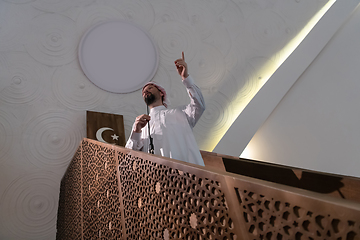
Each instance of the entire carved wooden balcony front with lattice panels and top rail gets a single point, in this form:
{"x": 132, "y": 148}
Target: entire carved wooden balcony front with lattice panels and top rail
{"x": 110, "y": 192}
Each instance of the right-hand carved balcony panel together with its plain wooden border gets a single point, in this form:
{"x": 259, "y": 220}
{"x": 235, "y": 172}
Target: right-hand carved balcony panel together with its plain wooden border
{"x": 273, "y": 214}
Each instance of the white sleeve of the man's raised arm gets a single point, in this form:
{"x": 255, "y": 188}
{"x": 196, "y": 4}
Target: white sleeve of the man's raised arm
{"x": 196, "y": 107}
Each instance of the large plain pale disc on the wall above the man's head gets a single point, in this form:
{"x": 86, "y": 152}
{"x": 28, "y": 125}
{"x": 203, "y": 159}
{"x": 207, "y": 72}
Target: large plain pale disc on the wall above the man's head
{"x": 118, "y": 56}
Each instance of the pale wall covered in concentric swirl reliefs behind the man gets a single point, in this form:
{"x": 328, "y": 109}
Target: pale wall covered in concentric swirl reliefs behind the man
{"x": 44, "y": 94}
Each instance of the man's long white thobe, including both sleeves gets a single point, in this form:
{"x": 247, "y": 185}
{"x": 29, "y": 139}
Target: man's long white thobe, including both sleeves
{"x": 171, "y": 129}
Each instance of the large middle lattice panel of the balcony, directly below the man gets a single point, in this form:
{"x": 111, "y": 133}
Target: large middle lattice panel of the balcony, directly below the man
{"x": 160, "y": 201}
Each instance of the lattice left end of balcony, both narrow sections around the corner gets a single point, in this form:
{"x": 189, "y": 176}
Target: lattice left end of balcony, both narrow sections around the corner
{"x": 89, "y": 205}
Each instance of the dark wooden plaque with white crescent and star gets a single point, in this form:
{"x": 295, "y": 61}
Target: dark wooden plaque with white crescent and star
{"x": 105, "y": 127}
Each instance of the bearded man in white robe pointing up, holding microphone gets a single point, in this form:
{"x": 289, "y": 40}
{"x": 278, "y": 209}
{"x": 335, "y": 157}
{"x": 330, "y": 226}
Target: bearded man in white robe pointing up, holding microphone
{"x": 170, "y": 129}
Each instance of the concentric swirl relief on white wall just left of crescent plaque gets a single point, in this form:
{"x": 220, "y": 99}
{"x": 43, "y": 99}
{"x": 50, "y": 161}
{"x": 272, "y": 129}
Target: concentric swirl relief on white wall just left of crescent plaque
{"x": 49, "y": 137}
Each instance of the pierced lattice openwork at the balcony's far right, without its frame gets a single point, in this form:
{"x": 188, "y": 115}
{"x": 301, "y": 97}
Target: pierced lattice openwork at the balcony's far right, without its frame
{"x": 275, "y": 218}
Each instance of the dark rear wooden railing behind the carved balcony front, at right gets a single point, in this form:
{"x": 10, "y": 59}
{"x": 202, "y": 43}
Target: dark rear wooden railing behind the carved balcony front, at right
{"x": 335, "y": 185}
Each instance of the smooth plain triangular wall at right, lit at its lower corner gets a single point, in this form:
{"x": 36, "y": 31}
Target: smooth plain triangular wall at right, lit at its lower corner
{"x": 315, "y": 126}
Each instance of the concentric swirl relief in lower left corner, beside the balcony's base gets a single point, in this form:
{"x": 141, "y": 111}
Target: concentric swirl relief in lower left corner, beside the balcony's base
{"x": 30, "y": 204}
